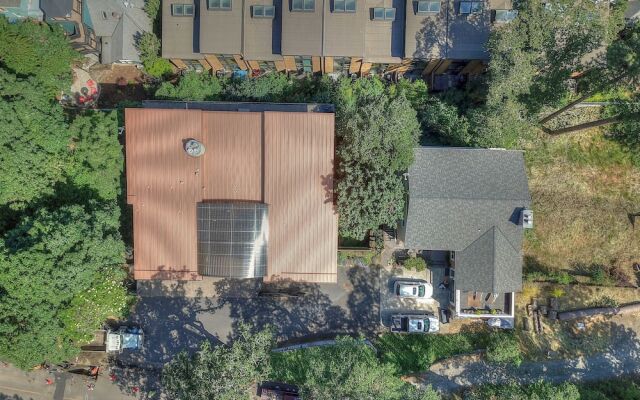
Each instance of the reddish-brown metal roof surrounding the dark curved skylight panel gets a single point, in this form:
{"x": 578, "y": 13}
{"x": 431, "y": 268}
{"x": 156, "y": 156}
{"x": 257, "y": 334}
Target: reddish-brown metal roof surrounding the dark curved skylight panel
{"x": 283, "y": 159}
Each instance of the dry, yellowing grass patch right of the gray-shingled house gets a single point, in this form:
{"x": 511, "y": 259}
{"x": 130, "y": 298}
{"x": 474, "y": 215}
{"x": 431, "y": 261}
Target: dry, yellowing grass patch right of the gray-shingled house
{"x": 583, "y": 188}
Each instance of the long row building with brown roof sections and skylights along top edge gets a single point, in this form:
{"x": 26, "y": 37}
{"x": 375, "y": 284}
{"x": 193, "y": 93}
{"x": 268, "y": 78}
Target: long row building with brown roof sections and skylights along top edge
{"x": 331, "y": 36}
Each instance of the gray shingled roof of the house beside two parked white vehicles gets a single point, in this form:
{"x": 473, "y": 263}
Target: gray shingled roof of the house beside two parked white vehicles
{"x": 469, "y": 201}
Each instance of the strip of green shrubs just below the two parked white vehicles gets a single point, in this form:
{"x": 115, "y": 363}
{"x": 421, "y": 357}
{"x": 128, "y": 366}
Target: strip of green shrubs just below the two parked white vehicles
{"x": 416, "y": 353}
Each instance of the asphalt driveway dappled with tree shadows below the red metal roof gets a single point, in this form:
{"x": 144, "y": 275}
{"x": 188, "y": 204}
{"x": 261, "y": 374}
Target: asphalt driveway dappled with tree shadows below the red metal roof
{"x": 179, "y": 316}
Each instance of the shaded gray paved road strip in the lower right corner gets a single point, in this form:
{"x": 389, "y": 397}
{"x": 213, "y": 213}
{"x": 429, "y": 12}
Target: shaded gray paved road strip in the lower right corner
{"x": 621, "y": 359}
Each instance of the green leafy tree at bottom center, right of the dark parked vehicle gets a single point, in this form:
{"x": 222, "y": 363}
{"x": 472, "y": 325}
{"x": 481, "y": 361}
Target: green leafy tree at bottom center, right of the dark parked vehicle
{"x": 348, "y": 370}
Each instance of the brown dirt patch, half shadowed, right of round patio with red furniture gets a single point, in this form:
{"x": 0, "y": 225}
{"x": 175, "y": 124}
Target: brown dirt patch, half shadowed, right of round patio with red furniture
{"x": 119, "y": 83}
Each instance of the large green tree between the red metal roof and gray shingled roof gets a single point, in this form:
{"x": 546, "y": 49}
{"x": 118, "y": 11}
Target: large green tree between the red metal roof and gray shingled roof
{"x": 377, "y": 131}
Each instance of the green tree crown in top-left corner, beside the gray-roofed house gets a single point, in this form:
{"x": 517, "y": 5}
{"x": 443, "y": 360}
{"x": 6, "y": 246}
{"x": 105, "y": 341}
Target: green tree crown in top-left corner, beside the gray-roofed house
{"x": 28, "y": 48}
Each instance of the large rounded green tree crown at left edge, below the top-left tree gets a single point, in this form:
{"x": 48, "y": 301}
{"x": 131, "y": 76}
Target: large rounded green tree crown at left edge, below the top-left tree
{"x": 35, "y": 141}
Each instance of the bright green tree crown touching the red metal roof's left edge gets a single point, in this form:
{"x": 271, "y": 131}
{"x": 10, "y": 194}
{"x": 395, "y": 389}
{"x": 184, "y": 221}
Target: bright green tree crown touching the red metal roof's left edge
{"x": 96, "y": 154}
